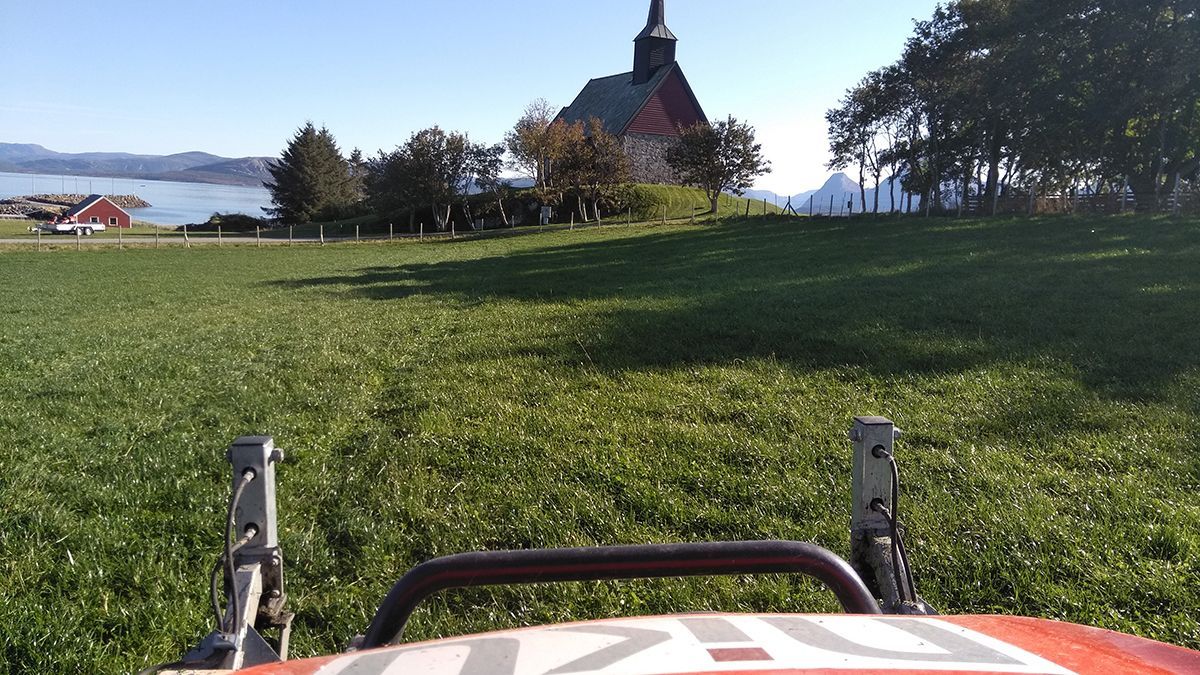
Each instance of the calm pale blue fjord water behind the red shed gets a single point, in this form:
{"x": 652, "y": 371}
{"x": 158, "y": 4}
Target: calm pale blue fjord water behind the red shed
{"x": 172, "y": 204}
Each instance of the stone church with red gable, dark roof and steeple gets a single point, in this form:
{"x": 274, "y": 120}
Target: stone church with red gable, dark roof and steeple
{"x": 647, "y": 107}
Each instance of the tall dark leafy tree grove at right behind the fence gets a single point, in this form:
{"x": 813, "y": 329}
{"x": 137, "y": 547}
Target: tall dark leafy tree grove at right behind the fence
{"x": 997, "y": 98}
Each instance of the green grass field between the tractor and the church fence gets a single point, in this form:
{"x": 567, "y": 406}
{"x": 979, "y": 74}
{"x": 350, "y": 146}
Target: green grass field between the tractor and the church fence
{"x": 601, "y": 387}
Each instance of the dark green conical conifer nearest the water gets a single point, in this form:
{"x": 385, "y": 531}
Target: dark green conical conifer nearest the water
{"x": 311, "y": 180}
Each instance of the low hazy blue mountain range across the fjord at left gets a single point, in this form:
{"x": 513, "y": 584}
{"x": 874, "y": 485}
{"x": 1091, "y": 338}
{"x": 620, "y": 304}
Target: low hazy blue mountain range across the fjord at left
{"x": 189, "y": 168}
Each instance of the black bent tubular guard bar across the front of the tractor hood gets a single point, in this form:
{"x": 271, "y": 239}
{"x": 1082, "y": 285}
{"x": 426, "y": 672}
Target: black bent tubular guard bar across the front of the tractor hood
{"x": 543, "y": 566}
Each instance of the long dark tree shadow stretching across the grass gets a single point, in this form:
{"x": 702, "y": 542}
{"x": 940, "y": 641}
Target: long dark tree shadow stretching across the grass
{"x": 1119, "y": 301}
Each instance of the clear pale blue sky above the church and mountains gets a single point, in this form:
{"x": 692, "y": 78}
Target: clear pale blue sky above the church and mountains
{"x": 237, "y": 77}
